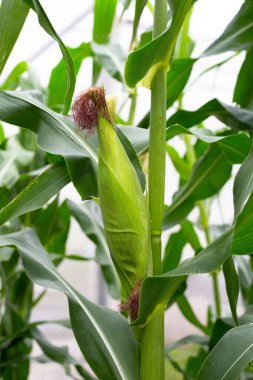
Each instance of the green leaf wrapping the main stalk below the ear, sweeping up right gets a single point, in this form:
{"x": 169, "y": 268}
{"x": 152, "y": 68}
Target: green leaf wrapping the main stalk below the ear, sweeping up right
{"x": 159, "y": 289}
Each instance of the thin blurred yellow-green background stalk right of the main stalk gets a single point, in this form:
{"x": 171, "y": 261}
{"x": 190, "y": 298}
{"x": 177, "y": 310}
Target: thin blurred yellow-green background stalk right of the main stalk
{"x": 190, "y": 153}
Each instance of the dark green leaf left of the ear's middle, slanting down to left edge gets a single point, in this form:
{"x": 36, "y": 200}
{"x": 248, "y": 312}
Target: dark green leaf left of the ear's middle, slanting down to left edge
{"x": 37, "y": 192}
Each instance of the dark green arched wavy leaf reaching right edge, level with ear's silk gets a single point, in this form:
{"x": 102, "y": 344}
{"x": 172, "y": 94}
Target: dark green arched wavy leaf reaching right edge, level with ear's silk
{"x": 234, "y": 117}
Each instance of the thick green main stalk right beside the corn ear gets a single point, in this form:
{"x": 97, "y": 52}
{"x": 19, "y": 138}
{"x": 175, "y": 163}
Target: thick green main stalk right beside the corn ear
{"x": 152, "y": 346}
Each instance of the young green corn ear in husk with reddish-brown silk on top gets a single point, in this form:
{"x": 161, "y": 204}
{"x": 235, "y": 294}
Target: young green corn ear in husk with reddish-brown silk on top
{"x": 123, "y": 205}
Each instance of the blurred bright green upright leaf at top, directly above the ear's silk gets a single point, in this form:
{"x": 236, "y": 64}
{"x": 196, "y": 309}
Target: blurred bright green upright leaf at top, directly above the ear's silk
{"x": 104, "y": 13}
